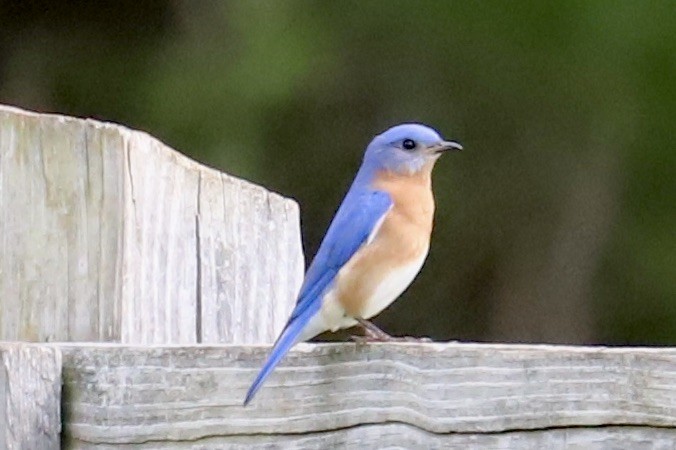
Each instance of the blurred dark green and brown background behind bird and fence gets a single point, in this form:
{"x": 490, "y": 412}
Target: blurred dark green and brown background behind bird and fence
{"x": 557, "y": 224}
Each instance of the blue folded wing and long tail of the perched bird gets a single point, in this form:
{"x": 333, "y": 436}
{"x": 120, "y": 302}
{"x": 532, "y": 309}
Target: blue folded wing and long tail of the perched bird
{"x": 355, "y": 220}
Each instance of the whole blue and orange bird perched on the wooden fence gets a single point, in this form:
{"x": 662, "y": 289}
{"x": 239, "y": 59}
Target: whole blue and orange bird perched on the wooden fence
{"x": 375, "y": 245}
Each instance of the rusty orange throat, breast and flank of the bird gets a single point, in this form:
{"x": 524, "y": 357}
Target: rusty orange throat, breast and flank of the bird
{"x": 401, "y": 241}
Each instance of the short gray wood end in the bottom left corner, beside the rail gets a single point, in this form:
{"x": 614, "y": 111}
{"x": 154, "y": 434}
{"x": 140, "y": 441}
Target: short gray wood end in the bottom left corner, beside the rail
{"x": 30, "y": 396}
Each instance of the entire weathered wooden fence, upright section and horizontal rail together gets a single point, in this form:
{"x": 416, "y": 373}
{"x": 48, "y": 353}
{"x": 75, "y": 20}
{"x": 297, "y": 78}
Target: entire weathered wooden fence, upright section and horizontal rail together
{"x": 163, "y": 281}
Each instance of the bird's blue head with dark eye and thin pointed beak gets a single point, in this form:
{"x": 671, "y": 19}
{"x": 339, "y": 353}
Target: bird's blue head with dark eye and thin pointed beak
{"x": 407, "y": 149}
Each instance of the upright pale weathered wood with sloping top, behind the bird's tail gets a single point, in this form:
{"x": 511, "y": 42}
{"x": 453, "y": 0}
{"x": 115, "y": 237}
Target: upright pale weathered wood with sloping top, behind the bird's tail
{"x": 106, "y": 234}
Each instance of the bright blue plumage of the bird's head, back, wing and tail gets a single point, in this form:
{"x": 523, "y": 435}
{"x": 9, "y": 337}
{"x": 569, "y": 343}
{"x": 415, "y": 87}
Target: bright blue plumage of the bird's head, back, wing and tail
{"x": 403, "y": 149}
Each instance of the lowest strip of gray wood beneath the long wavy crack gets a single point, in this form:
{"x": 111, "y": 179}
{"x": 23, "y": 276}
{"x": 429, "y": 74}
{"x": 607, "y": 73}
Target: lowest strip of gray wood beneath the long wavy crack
{"x": 402, "y": 436}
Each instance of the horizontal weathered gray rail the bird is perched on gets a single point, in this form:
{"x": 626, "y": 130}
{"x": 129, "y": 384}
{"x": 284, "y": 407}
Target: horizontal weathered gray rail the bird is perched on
{"x": 424, "y": 395}
